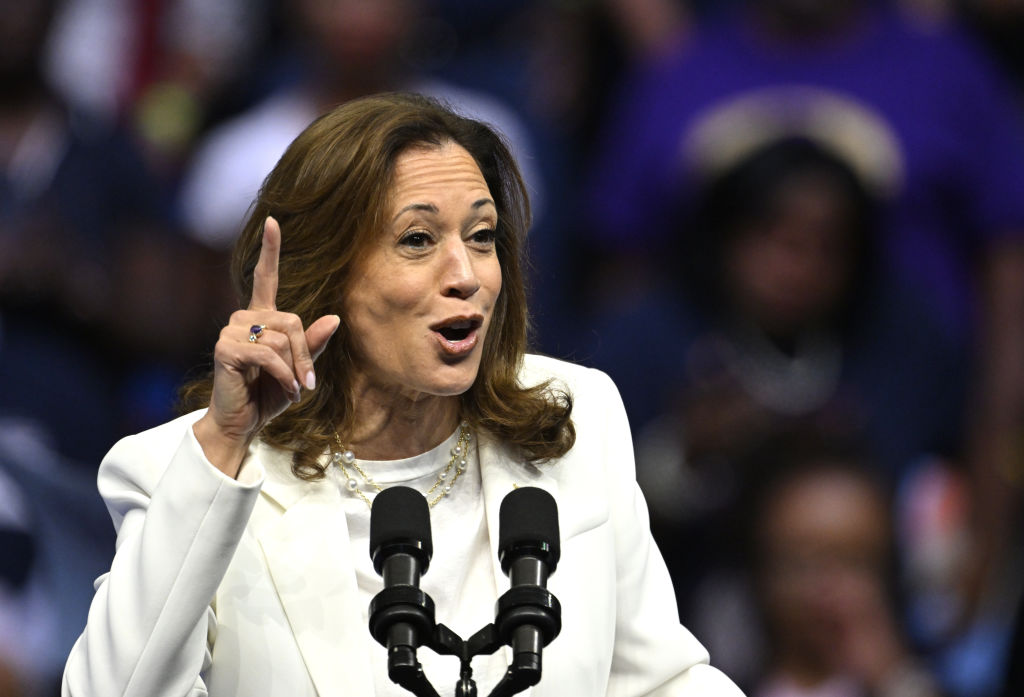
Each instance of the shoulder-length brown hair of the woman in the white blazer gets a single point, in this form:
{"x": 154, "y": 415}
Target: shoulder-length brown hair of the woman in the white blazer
{"x": 330, "y": 194}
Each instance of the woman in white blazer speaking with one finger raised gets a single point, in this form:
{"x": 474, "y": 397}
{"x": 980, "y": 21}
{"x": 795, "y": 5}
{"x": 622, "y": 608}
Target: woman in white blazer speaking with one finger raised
{"x": 242, "y": 568}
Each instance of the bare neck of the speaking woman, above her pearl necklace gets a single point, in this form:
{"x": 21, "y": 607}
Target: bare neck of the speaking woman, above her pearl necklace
{"x": 397, "y": 426}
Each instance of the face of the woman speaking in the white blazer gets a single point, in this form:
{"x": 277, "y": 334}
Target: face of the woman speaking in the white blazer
{"x": 421, "y": 302}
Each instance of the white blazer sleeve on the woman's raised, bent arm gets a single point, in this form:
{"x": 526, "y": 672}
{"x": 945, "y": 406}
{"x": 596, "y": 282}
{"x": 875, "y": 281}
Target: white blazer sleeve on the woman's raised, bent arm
{"x": 179, "y": 521}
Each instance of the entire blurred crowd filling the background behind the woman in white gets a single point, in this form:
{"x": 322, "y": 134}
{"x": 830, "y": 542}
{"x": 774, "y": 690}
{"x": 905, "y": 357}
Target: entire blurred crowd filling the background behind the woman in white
{"x": 791, "y": 231}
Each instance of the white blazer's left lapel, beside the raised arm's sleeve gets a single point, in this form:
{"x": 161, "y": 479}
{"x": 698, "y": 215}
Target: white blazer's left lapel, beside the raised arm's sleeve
{"x": 307, "y": 549}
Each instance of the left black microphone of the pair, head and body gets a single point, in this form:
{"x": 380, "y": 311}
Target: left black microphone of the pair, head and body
{"x": 402, "y": 617}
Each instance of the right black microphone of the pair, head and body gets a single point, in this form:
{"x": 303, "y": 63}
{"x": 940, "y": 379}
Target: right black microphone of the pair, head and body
{"x": 529, "y": 618}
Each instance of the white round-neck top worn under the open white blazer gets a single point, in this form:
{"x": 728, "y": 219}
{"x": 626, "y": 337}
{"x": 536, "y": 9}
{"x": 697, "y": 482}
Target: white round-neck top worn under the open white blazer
{"x": 460, "y": 579}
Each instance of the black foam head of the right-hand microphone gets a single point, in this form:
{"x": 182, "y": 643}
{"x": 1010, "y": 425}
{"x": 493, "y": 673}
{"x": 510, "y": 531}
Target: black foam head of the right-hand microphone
{"x": 529, "y": 525}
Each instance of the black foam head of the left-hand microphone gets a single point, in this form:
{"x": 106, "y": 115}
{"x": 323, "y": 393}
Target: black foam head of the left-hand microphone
{"x": 400, "y": 521}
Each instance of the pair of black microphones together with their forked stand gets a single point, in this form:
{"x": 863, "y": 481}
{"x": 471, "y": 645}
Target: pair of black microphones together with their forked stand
{"x": 528, "y": 617}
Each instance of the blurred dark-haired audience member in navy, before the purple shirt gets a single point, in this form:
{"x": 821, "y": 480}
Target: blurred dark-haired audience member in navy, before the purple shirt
{"x": 778, "y": 324}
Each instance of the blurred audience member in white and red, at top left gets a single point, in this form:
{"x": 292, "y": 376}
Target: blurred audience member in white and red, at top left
{"x": 166, "y": 68}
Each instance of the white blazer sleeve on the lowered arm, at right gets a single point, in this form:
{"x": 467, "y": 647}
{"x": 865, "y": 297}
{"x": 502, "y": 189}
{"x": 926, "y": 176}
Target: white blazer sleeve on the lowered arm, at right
{"x": 654, "y": 655}
